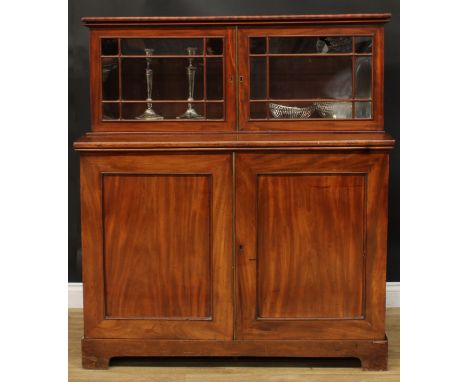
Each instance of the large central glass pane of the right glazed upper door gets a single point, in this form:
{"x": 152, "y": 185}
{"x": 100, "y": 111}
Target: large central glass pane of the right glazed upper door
{"x": 299, "y": 77}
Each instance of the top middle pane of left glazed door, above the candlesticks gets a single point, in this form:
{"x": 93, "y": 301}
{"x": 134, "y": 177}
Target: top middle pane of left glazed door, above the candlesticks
{"x": 161, "y": 46}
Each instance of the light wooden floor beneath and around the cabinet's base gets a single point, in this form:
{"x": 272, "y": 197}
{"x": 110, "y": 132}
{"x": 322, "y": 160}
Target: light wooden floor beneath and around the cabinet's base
{"x": 229, "y": 369}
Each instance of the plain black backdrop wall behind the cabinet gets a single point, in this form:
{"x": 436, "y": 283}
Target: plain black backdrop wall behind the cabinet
{"x": 78, "y": 89}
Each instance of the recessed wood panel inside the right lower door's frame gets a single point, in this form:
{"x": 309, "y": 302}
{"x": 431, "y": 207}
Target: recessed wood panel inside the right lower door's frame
{"x": 310, "y": 246}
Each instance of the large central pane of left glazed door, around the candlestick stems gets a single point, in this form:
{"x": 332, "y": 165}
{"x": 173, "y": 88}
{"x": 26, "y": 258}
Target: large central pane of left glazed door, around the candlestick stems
{"x": 169, "y": 78}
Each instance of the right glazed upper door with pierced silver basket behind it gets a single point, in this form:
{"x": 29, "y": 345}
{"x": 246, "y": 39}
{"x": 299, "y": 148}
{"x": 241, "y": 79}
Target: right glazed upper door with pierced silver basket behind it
{"x": 310, "y": 78}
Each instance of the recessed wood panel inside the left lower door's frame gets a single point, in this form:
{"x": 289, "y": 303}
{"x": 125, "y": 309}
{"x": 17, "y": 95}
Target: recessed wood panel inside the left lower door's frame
{"x": 157, "y": 245}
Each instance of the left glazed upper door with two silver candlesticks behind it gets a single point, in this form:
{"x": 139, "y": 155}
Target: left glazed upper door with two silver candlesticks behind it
{"x": 165, "y": 79}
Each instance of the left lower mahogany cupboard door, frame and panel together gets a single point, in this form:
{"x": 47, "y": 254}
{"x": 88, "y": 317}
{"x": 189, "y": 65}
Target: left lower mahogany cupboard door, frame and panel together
{"x": 157, "y": 245}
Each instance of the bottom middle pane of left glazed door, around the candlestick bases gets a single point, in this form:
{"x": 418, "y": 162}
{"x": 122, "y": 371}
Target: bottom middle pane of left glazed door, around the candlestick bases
{"x": 168, "y": 110}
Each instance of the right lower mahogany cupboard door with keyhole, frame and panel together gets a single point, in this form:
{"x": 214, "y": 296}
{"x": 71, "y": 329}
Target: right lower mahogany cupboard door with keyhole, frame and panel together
{"x": 311, "y": 245}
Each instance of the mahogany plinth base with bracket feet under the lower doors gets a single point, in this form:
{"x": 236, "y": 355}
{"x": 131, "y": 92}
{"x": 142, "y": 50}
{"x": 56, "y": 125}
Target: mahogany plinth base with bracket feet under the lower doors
{"x": 96, "y": 353}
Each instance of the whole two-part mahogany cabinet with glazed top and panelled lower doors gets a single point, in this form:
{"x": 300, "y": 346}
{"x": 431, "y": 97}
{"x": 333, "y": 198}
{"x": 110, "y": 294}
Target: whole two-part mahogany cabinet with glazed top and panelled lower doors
{"x": 234, "y": 188}
